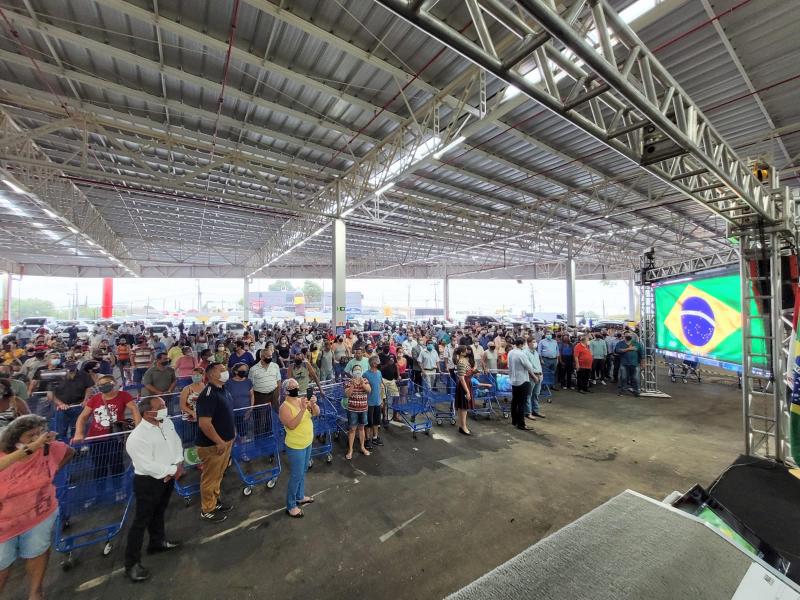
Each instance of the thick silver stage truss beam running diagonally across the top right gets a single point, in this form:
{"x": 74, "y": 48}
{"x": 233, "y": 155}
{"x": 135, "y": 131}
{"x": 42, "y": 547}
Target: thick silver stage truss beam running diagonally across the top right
{"x": 594, "y": 72}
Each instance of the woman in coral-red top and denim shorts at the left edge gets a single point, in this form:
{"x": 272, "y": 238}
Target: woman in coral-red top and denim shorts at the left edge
{"x": 29, "y": 460}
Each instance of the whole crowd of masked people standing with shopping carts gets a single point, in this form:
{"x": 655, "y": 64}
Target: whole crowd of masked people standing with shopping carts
{"x": 212, "y": 374}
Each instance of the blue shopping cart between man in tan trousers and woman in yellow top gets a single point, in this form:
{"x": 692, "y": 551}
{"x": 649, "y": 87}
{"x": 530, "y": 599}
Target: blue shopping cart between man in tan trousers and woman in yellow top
{"x": 256, "y": 451}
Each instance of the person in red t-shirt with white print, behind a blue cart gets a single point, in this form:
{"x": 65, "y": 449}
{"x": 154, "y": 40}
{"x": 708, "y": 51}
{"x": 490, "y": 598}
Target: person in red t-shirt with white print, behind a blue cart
{"x": 107, "y": 412}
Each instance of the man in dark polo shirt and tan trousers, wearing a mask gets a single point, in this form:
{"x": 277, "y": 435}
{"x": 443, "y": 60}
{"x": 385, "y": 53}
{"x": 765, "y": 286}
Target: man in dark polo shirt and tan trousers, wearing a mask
{"x": 214, "y": 441}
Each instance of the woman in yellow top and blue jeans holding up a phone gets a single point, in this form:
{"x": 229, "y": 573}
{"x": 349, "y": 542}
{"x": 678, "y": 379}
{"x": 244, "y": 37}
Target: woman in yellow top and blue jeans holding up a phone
{"x": 295, "y": 414}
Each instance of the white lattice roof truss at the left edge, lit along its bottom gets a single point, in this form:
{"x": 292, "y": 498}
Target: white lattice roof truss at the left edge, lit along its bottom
{"x": 47, "y": 188}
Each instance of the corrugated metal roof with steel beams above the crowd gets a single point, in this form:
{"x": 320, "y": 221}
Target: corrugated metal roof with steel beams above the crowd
{"x": 219, "y": 138}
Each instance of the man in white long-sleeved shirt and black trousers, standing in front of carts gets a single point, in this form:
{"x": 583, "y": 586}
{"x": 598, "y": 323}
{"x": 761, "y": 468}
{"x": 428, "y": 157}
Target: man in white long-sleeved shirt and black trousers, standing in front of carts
{"x": 156, "y": 452}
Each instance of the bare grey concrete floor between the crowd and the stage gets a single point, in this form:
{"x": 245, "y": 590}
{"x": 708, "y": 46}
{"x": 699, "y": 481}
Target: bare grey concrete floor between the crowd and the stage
{"x": 422, "y": 518}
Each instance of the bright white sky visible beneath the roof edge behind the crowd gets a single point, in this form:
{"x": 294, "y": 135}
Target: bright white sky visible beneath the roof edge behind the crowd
{"x": 473, "y": 295}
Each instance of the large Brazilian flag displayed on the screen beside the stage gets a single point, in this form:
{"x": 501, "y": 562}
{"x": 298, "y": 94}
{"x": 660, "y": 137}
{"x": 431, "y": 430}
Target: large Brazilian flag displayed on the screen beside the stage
{"x": 703, "y": 317}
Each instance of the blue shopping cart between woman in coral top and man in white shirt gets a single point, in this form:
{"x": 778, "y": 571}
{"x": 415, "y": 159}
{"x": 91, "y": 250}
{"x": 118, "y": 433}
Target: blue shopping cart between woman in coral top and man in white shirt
{"x": 94, "y": 492}
